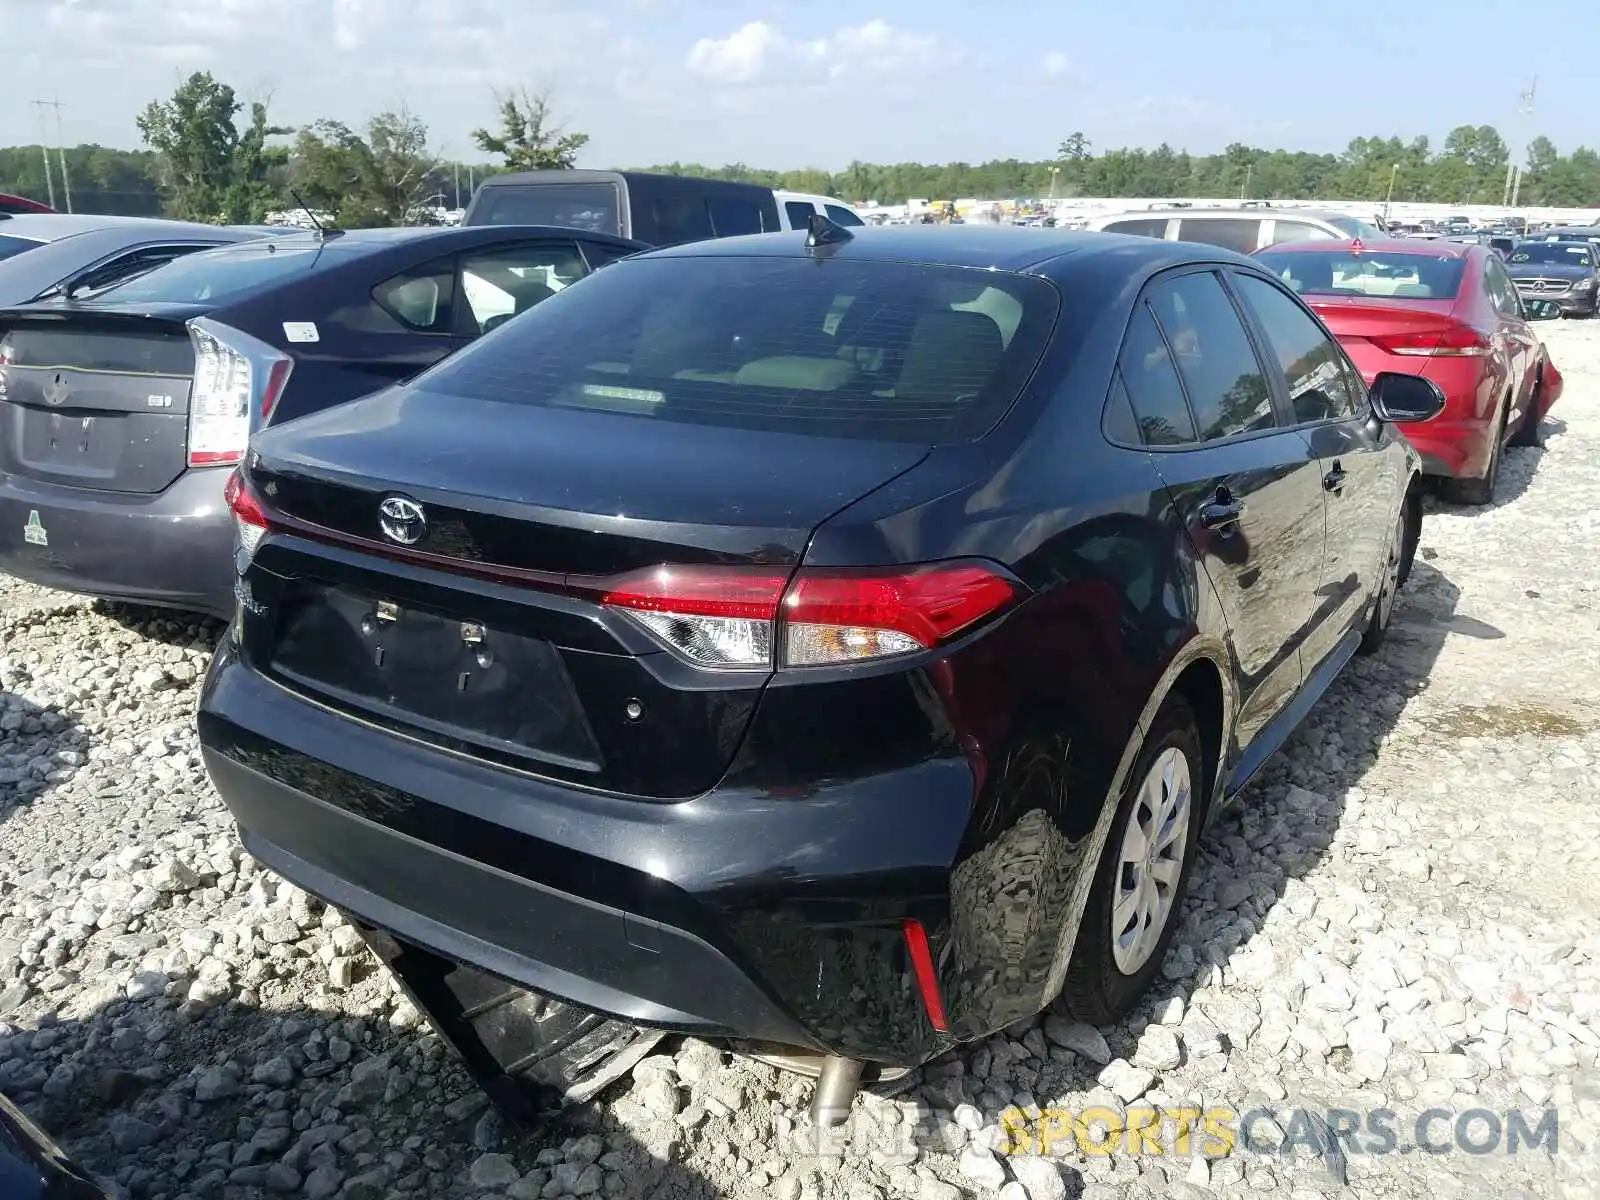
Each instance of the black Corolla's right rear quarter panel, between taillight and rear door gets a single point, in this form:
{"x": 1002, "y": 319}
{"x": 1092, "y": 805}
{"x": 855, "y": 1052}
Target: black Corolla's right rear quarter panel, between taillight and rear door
{"x": 1049, "y": 710}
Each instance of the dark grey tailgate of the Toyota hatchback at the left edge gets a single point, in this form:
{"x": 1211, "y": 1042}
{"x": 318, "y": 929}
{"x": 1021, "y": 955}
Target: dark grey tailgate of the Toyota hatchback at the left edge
{"x": 95, "y": 399}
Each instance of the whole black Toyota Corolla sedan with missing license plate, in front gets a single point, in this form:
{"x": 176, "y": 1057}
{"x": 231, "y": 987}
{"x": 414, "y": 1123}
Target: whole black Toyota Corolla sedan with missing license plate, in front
{"x": 820, "y": 641}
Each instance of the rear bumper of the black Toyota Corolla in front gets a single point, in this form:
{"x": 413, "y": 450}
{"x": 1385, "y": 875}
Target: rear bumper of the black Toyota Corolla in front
{"x": 729, "y": 916}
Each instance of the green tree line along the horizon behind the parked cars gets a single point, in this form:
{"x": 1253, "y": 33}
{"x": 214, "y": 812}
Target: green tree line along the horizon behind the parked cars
{"x": 212, "y": 158}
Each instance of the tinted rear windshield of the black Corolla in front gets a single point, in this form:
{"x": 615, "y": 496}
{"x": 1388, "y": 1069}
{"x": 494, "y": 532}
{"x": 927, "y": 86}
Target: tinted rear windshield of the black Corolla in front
{"x": 879, "y": 351}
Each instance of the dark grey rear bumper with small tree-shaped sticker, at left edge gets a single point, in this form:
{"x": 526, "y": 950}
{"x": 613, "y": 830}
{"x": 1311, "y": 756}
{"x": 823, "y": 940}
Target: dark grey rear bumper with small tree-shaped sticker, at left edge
{"x": 167, "y": 550}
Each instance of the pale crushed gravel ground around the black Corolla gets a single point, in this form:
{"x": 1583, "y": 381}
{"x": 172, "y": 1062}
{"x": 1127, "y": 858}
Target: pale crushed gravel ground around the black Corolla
{"x": 1401, "y": 916}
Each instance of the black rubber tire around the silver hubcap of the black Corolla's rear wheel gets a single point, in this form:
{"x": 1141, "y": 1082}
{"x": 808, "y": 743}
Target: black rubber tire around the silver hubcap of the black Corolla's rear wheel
{"x": 1105, "y": 982}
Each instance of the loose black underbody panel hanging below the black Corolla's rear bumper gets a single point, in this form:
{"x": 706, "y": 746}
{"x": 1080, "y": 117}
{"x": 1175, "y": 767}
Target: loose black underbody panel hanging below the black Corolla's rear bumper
{"x": 535, "y": 1057}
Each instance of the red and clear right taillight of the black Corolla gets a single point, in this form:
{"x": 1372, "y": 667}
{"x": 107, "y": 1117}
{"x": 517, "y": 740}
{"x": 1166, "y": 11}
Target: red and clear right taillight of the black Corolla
{"x": 758, "y": 618}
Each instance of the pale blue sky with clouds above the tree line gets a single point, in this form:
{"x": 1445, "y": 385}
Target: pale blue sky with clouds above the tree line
{"x": 825, "y": 82}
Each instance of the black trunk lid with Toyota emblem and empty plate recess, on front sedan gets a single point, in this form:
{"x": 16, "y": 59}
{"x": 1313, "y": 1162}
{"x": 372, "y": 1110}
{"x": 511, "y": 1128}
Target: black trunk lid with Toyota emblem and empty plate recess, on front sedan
{"x": 486, "y": 634}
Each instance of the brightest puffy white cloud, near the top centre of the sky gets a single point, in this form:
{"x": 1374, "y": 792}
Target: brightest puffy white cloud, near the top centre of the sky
{"x": 762, "y": 54}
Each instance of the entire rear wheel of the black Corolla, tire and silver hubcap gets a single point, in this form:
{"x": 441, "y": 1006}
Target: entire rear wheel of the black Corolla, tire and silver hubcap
{"x": 1140, "y": 884}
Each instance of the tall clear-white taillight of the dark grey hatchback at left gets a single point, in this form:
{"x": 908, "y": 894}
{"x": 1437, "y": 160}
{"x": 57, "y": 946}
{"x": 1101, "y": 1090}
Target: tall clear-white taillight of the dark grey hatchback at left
{"x": 238, "y": 378}
